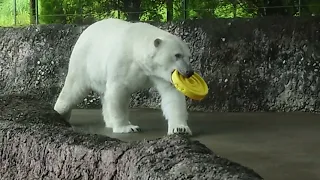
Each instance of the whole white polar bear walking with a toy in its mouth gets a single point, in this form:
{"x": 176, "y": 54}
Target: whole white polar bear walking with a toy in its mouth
{"x": 116, "y": 58}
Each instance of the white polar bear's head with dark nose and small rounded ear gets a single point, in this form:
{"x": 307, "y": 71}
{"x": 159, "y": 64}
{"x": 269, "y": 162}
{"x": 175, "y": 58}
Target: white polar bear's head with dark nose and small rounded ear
{"x": 169, "y": 54}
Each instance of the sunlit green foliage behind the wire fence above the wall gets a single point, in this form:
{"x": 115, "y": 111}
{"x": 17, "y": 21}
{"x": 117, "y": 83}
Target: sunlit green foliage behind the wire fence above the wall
{"x": 88, "y": 11}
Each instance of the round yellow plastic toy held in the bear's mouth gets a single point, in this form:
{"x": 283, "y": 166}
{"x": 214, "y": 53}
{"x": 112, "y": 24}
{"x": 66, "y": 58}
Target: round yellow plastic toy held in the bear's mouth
{"x": 194, "y": 87}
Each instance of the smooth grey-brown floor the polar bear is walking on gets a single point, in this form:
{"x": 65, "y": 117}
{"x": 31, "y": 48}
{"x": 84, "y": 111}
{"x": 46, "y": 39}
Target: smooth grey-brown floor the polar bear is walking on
{"x": 278, "y": 146}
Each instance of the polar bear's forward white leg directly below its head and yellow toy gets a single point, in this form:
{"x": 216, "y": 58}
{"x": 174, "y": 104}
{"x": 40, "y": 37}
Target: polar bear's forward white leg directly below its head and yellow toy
{"x": 174, "y": 107}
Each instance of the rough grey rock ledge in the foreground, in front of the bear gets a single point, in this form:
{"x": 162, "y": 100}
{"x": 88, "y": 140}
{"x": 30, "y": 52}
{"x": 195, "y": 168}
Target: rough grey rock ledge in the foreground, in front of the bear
{"x": 39, "y": 145}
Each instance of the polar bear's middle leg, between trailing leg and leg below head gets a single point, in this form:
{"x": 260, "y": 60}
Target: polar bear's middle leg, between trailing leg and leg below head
{"x": 116, "y": 110}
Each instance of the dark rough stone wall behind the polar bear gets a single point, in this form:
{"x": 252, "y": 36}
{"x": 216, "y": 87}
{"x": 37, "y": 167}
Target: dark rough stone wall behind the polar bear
{"x": 266, "y": 64}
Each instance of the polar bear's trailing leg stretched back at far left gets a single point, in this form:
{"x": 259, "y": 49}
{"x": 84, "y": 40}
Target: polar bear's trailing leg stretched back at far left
{"x": 71, "y": 94}
